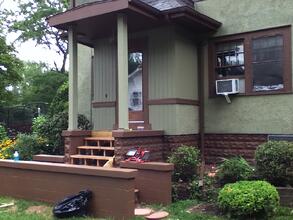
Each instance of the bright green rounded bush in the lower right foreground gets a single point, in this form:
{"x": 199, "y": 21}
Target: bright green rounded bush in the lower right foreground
{"x": 249, "y": 199}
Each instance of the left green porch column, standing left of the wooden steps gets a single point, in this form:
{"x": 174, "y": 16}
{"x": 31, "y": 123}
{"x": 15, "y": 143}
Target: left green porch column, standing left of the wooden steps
{"x": 73, "y": 97}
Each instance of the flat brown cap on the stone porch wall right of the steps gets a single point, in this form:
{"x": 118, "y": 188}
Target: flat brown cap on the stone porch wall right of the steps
{"x": 136, "y": 133}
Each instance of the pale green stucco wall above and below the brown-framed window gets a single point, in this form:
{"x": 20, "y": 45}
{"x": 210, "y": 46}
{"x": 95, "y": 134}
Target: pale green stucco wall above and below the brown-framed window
{"x": 248, "y": 114}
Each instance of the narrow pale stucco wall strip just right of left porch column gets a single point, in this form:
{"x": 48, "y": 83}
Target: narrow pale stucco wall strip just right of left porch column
{"x": 84, "y": 80}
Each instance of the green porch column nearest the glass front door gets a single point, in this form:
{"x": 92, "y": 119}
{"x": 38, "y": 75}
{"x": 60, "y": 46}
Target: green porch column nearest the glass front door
{"x": 122, "y": 50}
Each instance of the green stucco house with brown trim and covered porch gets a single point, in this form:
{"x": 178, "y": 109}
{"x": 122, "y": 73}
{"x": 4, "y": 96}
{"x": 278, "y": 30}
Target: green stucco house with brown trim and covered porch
{"x": 185, "y": 46}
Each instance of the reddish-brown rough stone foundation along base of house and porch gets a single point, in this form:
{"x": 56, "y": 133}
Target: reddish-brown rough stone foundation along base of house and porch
{"x": 217, "y": 146}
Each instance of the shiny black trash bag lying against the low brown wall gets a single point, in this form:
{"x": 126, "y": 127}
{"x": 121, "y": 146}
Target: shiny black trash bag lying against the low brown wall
{"x": 72, "y": 206}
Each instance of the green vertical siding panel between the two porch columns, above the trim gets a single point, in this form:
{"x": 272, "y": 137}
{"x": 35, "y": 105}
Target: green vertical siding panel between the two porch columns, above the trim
{"x": 105, "y": 71}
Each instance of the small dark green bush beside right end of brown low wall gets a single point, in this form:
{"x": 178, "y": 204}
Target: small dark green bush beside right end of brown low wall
{"x": 185, "y": 160}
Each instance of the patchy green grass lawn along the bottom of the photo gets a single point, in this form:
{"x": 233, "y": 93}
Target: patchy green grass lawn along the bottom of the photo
{"x": 28, "y": 210}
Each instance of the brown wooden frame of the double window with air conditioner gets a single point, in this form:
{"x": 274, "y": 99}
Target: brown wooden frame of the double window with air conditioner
{"x": 247, "y": 39}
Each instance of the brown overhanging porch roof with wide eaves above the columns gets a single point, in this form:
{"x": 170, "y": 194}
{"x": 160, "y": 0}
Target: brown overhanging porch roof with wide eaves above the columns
{"x": 98, "y": 19}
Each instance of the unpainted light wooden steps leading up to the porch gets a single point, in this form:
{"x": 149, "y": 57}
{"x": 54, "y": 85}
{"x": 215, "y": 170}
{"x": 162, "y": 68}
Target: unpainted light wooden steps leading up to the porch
{"x": 97, "y": 151}
